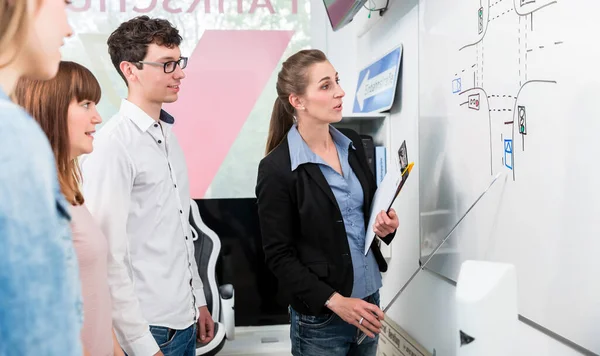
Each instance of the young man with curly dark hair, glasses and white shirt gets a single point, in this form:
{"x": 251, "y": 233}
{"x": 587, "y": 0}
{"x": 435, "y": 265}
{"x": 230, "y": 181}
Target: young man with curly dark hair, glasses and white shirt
{"x": 135, "y": 184}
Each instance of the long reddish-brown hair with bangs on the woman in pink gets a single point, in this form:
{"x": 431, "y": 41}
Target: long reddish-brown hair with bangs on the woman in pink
{"x": 47, "y": 101}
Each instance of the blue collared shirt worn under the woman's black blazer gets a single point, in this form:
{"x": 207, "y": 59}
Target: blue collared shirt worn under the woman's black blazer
{"x": 349, "y": 196}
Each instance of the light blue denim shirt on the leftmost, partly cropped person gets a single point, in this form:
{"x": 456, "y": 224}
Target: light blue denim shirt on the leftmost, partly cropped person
{"x": 40, "y": 292}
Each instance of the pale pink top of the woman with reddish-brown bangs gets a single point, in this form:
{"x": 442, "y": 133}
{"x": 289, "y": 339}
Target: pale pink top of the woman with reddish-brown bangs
{"x": 92, "y": 252}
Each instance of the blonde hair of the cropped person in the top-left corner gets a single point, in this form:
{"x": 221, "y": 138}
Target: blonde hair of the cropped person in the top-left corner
{"x": 14, "y": 20}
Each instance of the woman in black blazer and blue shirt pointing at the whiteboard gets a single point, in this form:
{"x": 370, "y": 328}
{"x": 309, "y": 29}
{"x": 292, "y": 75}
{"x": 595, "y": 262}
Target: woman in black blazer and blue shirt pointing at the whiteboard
{"x": 314, "y": 194}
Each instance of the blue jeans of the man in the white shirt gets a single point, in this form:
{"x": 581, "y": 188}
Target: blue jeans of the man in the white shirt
{"x": 175, "y": 342}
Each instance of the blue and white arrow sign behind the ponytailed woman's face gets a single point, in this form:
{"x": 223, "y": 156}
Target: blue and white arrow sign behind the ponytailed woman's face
{"x": 377, "y": 84}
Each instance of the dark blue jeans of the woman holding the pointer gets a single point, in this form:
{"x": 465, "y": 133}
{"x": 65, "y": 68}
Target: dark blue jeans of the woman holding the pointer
{"x": 329, "y": 335}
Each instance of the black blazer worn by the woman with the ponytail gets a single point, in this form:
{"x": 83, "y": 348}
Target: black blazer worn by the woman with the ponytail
{"x": 303, "y": 234}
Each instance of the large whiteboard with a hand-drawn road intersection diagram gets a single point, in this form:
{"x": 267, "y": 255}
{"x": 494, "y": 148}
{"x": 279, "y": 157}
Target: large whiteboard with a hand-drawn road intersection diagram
{"x": 513, "y": 86}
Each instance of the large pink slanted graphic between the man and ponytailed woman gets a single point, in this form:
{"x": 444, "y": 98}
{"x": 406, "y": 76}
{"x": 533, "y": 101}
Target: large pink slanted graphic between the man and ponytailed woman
{"x": 226, "y": 74}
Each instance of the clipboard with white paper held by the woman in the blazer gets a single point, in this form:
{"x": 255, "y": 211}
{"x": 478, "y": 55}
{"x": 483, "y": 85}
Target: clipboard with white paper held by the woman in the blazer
{"x": 388, "y": 191}
